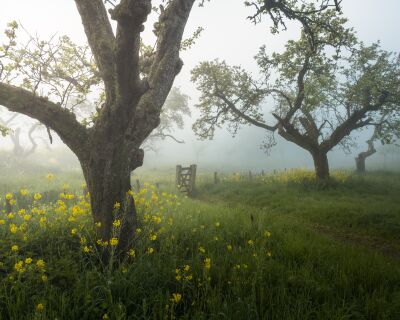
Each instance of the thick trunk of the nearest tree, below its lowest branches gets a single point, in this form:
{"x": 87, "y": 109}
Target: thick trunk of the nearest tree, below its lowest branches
{"x": 108, "y": 183}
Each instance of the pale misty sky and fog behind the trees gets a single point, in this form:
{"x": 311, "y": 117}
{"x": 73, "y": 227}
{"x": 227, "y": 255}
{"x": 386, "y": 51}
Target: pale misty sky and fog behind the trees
{"x": 229, "y": 36}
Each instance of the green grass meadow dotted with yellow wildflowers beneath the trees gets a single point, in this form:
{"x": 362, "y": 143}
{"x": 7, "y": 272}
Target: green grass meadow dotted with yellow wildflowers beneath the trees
{"x": 279, "y": 246}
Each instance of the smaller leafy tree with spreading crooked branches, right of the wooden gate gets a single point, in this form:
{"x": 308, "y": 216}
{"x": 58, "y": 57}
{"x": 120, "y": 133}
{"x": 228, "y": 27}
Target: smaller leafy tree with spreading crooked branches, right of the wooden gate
{"x": 324, "y": 86}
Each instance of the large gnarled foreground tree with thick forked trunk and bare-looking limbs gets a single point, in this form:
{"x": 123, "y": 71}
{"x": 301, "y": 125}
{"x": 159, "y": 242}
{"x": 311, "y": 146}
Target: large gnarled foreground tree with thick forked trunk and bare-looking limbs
{"x": 135, "y": 80}
